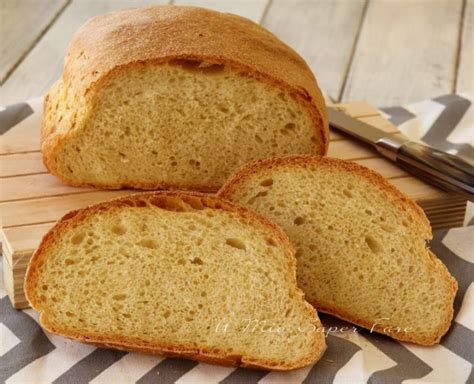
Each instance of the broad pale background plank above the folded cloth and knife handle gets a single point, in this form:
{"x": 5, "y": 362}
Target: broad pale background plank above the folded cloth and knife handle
{"x": 412, "y": 59}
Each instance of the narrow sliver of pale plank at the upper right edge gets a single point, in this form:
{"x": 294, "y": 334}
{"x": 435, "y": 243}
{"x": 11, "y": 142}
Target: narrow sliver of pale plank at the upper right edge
{"x": 465, "y": 78}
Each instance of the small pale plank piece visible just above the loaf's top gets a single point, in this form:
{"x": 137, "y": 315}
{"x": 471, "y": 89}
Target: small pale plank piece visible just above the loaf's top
{"x": 251, "y": 9}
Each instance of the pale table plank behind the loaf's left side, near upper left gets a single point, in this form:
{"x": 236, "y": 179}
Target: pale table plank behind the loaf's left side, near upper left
{"x": 43, "y": 65}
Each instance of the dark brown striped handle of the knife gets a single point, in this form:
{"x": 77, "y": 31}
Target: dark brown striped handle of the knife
{"x": 440, "y": 168}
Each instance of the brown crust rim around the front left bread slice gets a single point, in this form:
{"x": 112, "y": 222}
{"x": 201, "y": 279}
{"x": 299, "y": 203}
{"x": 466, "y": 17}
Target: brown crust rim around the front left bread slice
{"x": 174, "y": 201}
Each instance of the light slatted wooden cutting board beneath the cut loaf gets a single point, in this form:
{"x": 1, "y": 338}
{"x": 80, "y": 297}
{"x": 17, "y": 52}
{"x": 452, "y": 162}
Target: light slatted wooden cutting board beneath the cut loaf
{"x": 32, "y": 199}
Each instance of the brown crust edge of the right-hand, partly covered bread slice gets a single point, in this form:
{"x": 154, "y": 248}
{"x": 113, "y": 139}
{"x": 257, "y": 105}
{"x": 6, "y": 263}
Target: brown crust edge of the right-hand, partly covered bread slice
{"x": 396, "y": 195}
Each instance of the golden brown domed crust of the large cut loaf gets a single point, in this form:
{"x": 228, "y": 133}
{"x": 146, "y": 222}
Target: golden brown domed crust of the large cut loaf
{"x": 110, "y": 43}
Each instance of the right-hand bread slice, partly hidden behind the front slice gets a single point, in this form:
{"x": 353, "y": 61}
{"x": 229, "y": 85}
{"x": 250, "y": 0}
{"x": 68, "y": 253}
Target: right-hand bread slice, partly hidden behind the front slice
{"x": 360, "y": 243}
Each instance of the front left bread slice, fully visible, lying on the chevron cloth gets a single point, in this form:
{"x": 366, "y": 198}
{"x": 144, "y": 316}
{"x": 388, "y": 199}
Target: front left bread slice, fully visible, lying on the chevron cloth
{"x": 179, "y": 274}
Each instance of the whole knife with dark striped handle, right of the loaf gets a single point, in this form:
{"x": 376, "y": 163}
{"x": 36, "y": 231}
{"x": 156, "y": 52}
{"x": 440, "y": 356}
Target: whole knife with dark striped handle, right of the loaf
{"x": 436, "y": 167}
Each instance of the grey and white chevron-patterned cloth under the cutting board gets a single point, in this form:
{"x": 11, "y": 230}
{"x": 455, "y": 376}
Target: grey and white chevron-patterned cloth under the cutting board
{"x": 30, "y": 355}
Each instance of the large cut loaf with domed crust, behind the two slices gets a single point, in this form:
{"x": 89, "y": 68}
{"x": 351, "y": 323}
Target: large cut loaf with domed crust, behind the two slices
{"x": 177, "y": 97}
